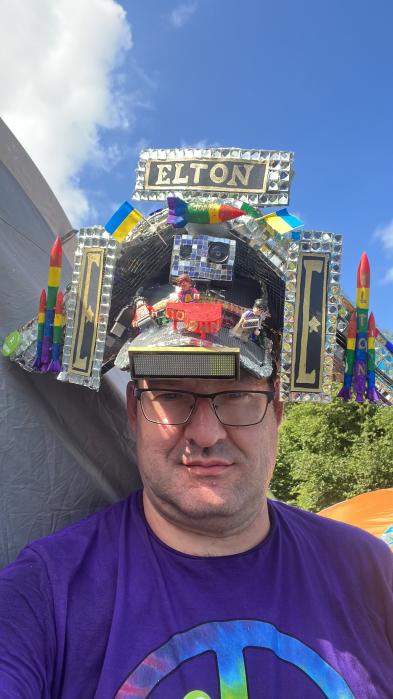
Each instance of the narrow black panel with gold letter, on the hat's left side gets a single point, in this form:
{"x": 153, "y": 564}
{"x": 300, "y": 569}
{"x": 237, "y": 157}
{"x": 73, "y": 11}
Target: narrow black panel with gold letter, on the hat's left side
{"x": 86, "y": 312}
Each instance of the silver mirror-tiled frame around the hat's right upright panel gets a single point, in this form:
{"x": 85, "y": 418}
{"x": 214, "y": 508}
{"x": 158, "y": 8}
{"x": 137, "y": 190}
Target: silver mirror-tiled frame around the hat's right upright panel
{"x": 318, "y": 242}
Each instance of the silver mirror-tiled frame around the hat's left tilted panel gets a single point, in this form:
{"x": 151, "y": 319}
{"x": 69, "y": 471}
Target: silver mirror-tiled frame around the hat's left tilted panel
{"x": 89, "y": 239}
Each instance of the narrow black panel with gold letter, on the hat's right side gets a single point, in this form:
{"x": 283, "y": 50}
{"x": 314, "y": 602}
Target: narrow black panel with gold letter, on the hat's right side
{"x": 310, "y": 319}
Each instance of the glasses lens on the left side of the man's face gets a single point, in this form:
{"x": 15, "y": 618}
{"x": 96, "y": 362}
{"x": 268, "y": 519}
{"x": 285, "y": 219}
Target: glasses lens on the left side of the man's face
{"x": 166, "y": 407}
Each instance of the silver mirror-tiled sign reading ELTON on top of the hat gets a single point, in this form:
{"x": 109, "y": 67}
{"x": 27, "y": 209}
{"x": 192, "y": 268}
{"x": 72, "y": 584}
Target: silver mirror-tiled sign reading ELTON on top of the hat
{"x": 274, "y": 191}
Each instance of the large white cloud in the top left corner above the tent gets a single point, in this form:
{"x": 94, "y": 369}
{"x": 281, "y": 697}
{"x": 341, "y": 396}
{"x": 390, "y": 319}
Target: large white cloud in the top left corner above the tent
{"x": 58, "y": 86}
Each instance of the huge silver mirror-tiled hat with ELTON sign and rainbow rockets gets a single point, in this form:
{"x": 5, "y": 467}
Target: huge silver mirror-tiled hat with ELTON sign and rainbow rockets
{"x": 263, "y": 294}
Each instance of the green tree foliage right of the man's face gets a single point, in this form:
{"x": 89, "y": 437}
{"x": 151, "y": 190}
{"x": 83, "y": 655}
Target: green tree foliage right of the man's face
{"x": 329, "y": 453}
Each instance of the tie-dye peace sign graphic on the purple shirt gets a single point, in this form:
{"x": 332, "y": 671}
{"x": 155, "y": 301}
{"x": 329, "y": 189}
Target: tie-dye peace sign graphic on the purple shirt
{"x": 228, "y": 640}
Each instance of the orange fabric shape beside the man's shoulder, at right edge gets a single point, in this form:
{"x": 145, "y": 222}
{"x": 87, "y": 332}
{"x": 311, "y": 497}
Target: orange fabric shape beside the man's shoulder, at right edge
{"x": 370, "y": 511}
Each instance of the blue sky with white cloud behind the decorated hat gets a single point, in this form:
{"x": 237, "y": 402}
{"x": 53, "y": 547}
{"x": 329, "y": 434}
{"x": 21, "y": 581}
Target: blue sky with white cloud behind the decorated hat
{"x": 307, "y": 76}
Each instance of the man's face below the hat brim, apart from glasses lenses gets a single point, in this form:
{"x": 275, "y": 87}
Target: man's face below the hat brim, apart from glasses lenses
{"x": 205, "y": 472}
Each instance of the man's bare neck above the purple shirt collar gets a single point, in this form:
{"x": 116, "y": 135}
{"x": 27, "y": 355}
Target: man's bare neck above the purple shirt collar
{"x": 196, "y": 542}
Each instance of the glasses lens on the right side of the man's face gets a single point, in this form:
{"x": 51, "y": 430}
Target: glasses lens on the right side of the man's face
{"x": 243, "y": 408}
